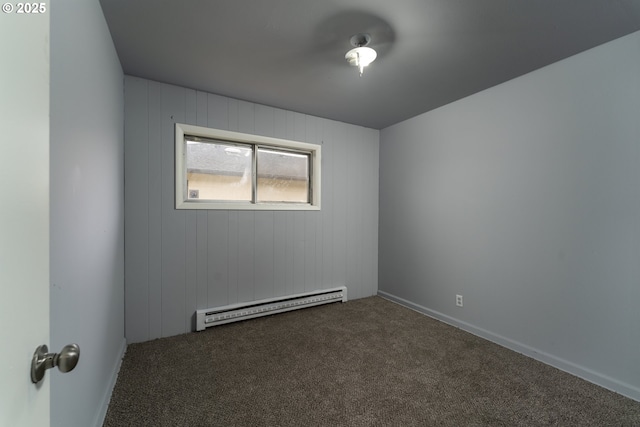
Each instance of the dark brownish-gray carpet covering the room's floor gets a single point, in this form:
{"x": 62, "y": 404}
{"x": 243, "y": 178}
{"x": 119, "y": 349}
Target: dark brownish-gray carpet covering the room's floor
{"x": 368, "y": 362}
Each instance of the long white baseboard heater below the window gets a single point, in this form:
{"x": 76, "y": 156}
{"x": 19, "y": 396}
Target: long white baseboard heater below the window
{"x": 242, "y": 311}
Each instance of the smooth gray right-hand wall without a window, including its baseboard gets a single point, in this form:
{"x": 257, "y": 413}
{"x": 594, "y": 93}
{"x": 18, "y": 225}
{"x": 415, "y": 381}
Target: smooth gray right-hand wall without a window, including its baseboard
{"x": 525, "y": 199}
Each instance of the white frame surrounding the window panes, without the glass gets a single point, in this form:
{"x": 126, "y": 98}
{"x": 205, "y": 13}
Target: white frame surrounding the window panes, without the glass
{"x": 183, "y": 202}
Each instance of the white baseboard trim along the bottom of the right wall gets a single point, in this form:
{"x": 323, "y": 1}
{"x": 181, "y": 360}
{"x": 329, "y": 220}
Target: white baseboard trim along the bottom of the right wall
{"x": 605, "y": 381}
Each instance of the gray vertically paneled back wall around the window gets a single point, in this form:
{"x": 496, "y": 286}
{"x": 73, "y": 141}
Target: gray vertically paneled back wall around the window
{"x": 180, "y": 261}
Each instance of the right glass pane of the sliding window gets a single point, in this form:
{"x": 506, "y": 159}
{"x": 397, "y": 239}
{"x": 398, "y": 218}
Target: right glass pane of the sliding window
{"x": 282, "y": 176}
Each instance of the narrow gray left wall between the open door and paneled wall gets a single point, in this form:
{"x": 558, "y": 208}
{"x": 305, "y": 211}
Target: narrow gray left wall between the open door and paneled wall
{"x": 87, "y": 210}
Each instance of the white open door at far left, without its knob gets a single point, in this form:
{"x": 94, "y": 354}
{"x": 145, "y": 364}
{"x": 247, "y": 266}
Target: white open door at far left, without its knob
{"x": 24, "y": 212}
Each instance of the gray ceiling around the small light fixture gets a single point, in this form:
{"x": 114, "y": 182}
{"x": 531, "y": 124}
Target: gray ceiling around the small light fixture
{"x": 290, "y": 53}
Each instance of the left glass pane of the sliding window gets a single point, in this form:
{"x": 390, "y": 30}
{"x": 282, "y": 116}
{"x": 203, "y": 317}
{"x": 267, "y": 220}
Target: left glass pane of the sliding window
{"x": 217, "y": 171}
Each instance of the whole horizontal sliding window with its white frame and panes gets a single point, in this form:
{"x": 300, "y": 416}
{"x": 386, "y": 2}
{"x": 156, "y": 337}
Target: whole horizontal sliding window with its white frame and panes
{"x": 218, "y": 169}
